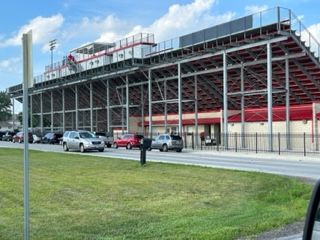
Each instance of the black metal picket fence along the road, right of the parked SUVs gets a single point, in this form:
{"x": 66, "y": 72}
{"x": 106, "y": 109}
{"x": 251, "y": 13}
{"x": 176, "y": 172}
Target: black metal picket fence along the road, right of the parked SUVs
{"x": 299, "y": 143}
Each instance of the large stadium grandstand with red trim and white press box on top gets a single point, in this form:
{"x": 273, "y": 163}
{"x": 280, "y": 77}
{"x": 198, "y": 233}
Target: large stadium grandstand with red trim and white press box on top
{"x": 259, "y": 73}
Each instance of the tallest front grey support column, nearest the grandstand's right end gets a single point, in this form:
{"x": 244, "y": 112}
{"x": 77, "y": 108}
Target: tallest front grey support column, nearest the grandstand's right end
{"x": 269, "y": 87}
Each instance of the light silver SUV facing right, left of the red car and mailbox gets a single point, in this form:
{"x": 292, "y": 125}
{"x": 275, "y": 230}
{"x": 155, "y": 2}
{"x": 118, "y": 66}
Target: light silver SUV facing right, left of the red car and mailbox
{"x": 82, "y": 140}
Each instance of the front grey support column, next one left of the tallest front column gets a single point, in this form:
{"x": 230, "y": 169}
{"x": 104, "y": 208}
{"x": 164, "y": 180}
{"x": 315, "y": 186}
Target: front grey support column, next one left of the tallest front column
{"x": 225, "y": 100}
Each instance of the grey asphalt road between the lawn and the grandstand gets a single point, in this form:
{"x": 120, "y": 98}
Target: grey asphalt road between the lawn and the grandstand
{"x": 290, "y": 165}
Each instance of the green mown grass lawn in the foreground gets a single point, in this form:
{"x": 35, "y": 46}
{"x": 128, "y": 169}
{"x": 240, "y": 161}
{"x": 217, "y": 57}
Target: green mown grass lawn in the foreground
{"x": 82, "y": 197}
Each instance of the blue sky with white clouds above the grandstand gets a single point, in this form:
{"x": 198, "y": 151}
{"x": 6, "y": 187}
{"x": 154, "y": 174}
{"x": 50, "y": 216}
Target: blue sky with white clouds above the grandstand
{"x": 75, "y": 22}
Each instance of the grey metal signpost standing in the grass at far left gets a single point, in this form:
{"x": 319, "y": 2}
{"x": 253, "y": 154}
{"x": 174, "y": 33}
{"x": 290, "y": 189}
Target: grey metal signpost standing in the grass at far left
{"x": 27, "y": 82}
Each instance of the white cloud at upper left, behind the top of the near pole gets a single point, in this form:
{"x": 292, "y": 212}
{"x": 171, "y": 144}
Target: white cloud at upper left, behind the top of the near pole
{"x": 43, "y": 30}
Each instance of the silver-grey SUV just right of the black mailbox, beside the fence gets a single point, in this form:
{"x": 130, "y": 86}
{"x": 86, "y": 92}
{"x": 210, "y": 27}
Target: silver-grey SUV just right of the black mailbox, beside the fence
{"x": 165, "y": 142}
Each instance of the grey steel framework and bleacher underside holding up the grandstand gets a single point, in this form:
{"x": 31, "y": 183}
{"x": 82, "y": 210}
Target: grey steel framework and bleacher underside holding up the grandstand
{"x": 267, "y": 66}
